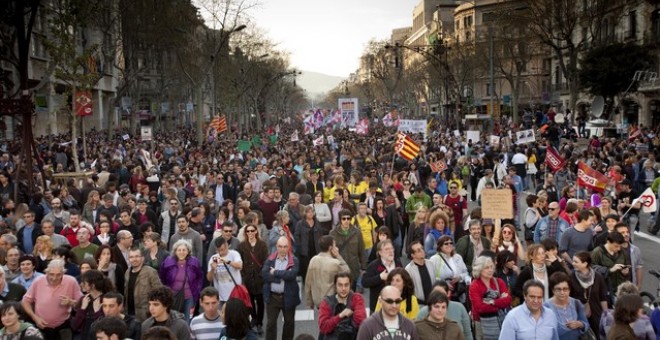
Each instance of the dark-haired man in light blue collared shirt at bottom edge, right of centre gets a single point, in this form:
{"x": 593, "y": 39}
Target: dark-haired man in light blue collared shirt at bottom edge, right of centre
{"x": 531, "y": 320}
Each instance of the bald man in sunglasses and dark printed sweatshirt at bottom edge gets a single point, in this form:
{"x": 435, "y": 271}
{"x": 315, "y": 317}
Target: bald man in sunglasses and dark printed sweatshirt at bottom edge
{"x": 389, "y": 322}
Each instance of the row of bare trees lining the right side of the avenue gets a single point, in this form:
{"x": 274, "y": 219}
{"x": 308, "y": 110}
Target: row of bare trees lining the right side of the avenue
{"x": 525, "y": 35}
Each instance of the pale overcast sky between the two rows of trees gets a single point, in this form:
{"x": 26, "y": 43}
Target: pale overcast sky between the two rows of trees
{"x": 329, "y": 36}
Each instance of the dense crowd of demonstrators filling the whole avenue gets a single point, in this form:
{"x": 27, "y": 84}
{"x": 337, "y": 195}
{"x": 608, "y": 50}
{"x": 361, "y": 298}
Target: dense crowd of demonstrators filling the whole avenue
{"x": 171, "y": 239}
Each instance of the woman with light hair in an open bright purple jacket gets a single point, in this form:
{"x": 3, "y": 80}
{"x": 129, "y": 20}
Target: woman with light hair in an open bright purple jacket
{"x": 183, "y": 274}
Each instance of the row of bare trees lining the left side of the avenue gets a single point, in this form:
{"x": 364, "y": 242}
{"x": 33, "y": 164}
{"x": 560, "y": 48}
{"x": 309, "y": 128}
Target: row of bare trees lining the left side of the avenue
{"x": 159, "y": 51}
